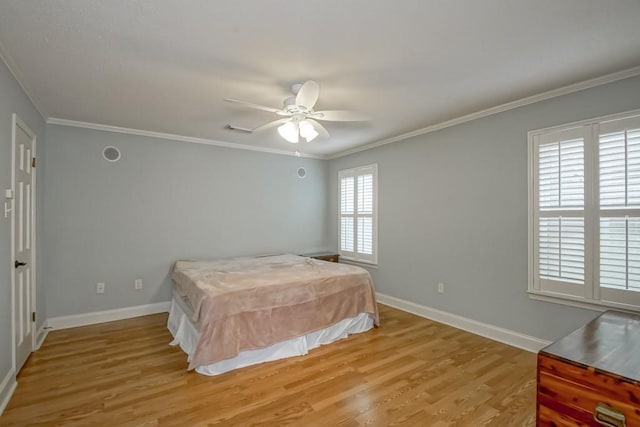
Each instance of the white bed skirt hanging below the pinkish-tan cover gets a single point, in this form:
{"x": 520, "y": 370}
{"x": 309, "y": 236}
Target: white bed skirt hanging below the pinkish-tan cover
{"x": 185, "y": 334}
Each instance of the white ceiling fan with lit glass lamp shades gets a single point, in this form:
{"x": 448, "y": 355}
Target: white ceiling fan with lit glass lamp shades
{"x": 300, "y": 119}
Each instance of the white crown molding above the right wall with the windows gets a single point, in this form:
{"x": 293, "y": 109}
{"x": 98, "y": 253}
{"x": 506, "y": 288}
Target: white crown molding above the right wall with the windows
{"x": 565, "y": 90}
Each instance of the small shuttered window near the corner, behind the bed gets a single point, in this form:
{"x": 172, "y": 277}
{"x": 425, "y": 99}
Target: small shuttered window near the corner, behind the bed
{"x": 358, "y": 214}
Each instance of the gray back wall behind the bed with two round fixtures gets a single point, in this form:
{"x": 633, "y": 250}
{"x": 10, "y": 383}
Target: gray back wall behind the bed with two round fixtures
{"x": 165, "y": 200}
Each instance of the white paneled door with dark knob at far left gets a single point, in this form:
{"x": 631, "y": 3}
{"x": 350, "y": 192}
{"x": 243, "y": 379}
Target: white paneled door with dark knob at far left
{"x": 22, "y": 240}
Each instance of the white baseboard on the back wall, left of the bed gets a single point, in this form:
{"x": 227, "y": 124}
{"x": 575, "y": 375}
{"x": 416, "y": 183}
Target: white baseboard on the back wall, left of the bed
{"x": 84, "y": 319}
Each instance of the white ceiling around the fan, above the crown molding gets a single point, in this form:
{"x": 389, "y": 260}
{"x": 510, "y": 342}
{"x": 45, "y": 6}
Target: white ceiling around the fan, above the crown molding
{"x": 166, "y": 65}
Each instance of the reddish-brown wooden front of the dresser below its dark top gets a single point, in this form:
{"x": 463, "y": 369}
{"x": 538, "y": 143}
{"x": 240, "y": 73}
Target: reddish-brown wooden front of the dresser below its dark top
{"x": 575, "y": 392}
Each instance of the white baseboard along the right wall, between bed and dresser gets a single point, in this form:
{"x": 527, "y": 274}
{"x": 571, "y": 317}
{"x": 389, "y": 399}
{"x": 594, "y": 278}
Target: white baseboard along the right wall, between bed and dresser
{"x": 506, "y": 336}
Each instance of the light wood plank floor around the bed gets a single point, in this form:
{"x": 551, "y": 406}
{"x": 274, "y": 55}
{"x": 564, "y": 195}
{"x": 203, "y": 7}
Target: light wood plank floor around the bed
{"x": 411, "y": 371}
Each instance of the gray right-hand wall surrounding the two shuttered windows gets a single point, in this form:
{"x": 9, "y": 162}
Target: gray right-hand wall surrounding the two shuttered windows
{"x": 453, "y": 209}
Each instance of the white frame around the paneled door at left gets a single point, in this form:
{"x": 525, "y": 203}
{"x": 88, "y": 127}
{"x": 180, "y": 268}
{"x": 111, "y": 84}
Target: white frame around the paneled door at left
{"x": 15, "y": 123}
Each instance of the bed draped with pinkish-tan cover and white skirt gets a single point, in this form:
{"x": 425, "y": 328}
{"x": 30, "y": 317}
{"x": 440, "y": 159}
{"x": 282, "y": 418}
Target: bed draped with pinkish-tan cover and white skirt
{"x": 230, "y": 313}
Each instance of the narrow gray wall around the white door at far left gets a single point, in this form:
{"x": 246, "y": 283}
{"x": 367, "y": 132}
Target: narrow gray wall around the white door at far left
{"x": 13, "y": 100}
